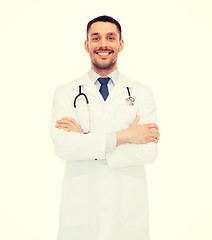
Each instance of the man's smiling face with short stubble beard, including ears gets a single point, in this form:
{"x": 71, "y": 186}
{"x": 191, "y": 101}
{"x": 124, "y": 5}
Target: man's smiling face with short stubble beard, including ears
{"x": 103, "y": 46}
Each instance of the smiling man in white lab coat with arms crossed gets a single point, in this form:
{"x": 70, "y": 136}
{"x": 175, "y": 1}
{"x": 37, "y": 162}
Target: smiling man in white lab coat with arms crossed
{"x": 105, "y": 145}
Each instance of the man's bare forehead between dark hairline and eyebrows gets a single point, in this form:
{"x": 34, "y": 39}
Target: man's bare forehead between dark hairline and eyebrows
{"x": 103, "y": 28}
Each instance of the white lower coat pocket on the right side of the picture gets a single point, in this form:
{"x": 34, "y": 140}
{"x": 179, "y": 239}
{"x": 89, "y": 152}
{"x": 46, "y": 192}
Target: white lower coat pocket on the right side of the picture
{"x": 134, "y": 202}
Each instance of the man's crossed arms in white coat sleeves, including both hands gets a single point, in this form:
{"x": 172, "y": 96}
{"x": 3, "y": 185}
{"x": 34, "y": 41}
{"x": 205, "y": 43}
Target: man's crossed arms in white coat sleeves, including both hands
{"x": 68, "y": 137}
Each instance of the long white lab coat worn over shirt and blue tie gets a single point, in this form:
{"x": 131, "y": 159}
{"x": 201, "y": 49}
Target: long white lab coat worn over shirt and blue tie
{"x": 103, "y": 199}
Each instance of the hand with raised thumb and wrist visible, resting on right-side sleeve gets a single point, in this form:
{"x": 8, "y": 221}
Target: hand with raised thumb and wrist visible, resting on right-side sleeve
{"x": 138, "y": 133}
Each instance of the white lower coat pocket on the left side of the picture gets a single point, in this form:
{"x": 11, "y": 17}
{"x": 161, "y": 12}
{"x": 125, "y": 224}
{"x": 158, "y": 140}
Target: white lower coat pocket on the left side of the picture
{"x": 74, "y": 202}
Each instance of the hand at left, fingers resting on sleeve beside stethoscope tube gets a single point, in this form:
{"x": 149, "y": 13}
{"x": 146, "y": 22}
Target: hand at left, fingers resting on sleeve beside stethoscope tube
{"x": 68, "y": 124}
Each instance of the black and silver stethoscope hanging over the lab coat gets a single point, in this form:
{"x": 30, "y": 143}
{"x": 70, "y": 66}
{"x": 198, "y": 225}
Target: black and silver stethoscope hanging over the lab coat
{"x": 130, "y": 101}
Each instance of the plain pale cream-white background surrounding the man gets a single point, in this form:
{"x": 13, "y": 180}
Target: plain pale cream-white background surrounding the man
{"x": 167, "y": 46}
